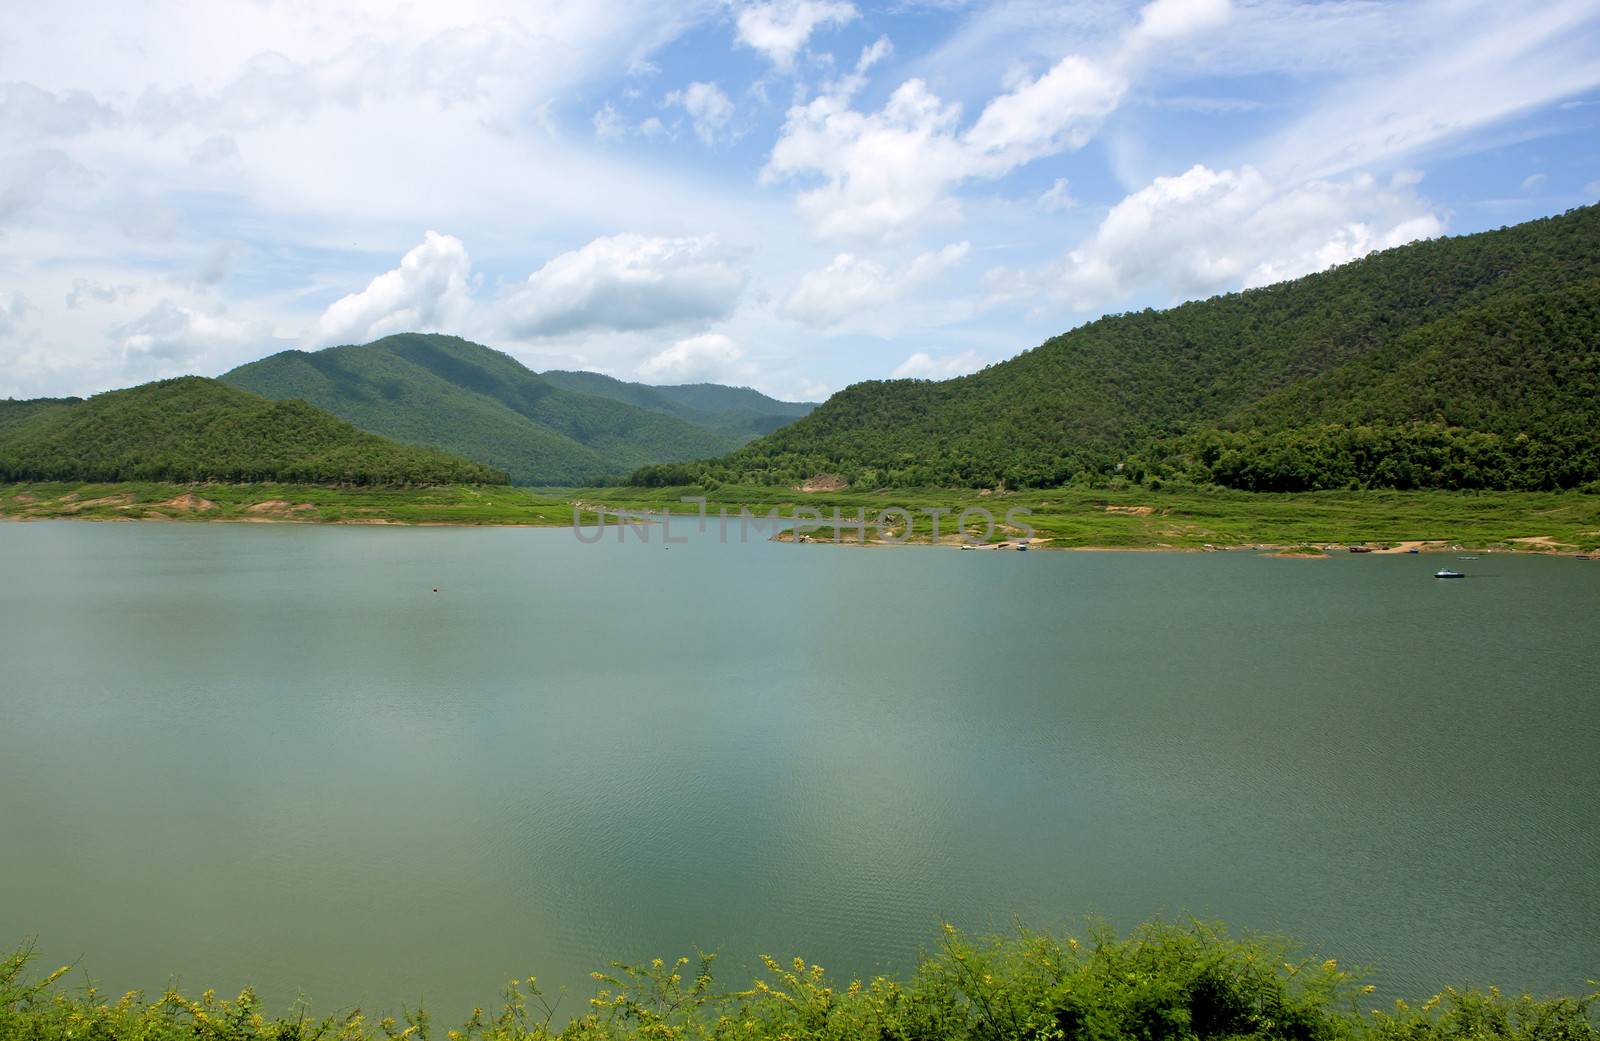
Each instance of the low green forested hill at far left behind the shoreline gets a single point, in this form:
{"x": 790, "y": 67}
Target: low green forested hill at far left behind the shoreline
{"x": 194, "y": 429}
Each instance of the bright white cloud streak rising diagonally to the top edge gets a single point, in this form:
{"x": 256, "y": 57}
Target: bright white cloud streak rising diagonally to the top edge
{"x": 884, "y": 173}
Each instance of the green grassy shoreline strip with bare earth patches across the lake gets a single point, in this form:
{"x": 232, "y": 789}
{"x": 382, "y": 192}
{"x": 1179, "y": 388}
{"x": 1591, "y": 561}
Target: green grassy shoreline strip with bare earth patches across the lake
{"x": 1130, "y": 519}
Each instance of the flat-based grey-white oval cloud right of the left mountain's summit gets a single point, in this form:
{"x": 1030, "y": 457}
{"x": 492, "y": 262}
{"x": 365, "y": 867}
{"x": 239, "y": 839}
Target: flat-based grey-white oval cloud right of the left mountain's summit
{"x": 626, "y": 284}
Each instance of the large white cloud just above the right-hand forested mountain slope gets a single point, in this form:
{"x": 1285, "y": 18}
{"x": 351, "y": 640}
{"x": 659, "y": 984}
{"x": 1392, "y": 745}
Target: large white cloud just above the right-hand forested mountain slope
{"x": 1209, "y": 231}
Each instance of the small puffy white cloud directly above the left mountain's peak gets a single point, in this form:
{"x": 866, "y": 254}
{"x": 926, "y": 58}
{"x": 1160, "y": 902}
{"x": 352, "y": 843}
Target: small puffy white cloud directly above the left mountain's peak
{"x": 430, "y": 292}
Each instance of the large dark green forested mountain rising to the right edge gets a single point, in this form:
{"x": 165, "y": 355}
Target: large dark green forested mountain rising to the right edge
{"x": 1455, "y": 362}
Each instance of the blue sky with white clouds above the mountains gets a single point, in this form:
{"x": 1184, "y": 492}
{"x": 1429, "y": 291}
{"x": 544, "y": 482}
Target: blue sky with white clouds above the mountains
{"x": 785, "y": 194}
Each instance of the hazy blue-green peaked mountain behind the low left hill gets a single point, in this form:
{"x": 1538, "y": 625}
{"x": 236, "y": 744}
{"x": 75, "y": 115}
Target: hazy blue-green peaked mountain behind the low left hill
{"x": 466, "y": 399}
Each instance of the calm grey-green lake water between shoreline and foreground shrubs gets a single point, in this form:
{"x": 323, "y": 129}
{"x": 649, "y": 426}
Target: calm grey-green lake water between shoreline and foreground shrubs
{"x": 271, "y": 754}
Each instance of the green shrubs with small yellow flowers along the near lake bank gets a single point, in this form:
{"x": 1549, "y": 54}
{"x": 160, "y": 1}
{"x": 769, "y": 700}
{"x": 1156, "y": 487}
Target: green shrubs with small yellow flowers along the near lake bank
{"x": 1164, "y": 983}
